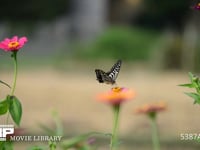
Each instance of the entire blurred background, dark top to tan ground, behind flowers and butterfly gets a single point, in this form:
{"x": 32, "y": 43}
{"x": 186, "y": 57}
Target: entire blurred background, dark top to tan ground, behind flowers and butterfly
{"x": 158, "y": 42}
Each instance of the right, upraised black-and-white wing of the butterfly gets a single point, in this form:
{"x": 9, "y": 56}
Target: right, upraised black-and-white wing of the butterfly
{"x": 114, "y": 71}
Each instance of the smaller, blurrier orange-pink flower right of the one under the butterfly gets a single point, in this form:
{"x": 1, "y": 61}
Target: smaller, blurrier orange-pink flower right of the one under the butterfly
{"x": 149, "y": 108}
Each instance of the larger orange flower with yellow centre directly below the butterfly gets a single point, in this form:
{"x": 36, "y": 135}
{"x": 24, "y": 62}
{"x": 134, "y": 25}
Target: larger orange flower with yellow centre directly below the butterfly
{"x": 116, "y": 95}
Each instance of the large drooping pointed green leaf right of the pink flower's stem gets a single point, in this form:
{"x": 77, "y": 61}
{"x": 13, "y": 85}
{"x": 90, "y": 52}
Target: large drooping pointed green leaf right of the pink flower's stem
{"x": 15, "y": 109}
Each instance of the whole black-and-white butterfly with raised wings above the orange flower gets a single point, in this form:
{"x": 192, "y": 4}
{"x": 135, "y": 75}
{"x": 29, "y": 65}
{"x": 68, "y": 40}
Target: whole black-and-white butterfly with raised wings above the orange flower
{"x": 110, "y": 76}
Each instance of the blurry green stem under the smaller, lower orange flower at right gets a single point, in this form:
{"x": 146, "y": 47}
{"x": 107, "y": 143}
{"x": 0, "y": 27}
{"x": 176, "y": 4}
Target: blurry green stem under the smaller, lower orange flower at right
{"x": 155, "y": 138}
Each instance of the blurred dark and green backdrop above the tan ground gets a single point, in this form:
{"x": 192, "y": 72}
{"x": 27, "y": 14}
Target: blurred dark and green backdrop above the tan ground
{"x": 150, "y": 31}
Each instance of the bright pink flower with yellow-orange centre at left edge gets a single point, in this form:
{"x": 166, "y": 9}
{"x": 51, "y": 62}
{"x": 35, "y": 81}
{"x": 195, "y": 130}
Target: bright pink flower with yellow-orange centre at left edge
{"x": 13, "y": 44}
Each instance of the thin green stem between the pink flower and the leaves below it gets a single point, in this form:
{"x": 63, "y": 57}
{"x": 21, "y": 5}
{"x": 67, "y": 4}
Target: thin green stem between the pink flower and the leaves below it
{"x": 14, "y": 55}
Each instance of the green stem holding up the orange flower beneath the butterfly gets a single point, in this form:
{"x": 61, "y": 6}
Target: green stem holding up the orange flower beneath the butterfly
{"x": 114, "y": 140}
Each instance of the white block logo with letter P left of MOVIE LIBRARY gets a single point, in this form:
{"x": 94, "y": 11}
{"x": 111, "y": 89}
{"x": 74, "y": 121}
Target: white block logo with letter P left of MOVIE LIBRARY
{"x": 5, "y": 130}
